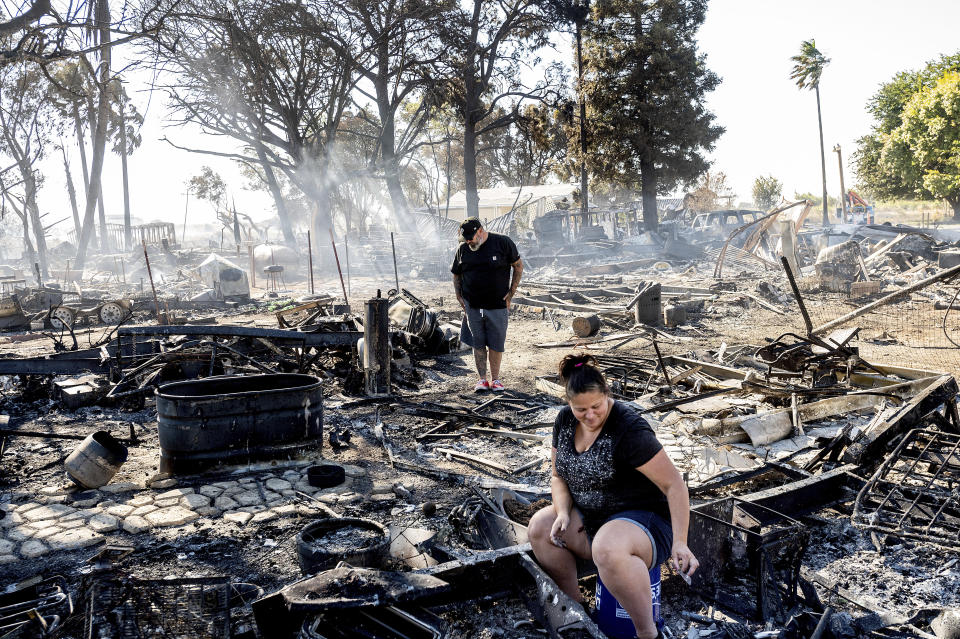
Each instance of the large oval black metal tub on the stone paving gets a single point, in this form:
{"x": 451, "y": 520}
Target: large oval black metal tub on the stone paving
{"x": 235, "y": 419}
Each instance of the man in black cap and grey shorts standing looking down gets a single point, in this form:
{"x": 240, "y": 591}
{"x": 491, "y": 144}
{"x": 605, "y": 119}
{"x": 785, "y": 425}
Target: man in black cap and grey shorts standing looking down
{"x": 486, "y": 273}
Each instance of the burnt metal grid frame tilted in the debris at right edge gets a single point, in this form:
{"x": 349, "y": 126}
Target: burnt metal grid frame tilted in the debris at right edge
{"x": 916, "y": 492}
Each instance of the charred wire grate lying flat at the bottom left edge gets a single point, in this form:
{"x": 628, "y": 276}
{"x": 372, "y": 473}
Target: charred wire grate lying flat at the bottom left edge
{"x": 131, "y": 608}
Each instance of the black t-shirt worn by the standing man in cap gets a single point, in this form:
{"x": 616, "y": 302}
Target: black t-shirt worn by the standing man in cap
{"x": 485, "y": 273}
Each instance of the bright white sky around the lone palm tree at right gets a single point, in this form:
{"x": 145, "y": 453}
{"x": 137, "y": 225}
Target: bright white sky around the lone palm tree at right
{"x": 771, "y": 125}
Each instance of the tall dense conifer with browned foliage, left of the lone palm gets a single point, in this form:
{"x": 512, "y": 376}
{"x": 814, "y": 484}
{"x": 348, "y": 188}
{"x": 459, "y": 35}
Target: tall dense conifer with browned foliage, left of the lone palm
{"x": 646, "y": 84}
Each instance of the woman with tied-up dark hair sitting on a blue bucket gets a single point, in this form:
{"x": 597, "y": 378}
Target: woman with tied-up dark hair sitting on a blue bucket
{"x": 617, "y": 497}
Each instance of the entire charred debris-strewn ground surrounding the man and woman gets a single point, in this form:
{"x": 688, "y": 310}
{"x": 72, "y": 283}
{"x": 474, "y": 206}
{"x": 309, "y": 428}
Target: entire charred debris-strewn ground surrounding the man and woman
{"x": 229, "y": 449}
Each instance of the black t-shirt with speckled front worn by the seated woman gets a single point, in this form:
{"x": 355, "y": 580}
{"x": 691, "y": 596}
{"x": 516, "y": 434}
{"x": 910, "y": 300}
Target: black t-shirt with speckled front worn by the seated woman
{"x": 604, "y": 479}
